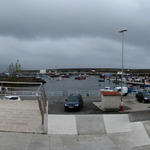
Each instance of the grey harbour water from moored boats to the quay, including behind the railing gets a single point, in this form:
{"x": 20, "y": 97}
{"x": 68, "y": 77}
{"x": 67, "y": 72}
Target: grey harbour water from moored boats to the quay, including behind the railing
{"x": 66, "y": 86}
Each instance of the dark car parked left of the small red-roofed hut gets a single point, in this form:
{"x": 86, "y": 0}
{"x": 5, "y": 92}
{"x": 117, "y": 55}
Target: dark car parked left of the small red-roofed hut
{"x": 73, "y": 102}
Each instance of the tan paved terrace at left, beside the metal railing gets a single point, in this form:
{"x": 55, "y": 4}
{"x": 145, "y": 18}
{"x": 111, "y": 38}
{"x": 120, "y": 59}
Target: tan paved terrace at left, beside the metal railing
{"x": 20, "y": 116}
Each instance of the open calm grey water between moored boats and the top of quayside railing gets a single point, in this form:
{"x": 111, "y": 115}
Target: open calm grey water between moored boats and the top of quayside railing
{"x": 70, "y": 84}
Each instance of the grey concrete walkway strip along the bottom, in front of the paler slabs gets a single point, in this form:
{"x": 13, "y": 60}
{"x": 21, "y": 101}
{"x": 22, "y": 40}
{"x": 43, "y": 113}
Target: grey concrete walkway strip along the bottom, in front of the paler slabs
{"x": 19, "y": 141}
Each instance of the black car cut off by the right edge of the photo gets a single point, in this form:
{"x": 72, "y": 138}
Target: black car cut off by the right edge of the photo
{"x": 143, "y": 97}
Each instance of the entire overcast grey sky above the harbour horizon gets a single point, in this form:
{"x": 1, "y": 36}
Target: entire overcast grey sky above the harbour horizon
{"x": 74, "y": 33}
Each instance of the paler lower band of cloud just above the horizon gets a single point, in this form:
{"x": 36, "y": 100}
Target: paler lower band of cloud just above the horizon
{"x": 70, "y": 52}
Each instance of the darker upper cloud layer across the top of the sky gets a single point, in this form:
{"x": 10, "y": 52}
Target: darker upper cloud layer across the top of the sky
{"x": 33, "y": 18}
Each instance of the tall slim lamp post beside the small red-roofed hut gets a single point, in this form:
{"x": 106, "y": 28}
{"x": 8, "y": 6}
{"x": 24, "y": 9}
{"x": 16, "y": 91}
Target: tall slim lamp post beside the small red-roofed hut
{"x": 122, "y": 32}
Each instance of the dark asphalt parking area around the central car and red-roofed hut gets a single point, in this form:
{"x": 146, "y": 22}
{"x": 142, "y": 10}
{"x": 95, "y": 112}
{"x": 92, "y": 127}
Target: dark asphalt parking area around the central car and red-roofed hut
{"x": 56, "y": 105}
